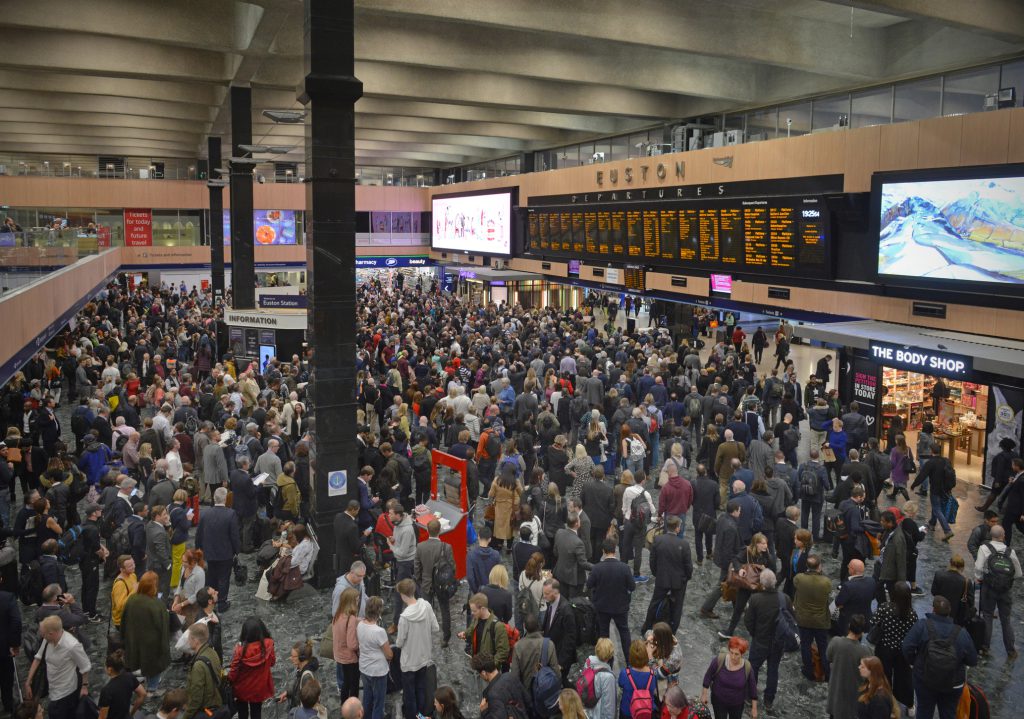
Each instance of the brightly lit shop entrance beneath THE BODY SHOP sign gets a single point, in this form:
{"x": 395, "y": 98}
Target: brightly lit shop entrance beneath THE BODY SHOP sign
{"x": 958, "y": 415}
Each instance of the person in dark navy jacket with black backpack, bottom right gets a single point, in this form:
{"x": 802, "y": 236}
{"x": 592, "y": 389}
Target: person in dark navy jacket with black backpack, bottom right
{"x": 941, "y": 652}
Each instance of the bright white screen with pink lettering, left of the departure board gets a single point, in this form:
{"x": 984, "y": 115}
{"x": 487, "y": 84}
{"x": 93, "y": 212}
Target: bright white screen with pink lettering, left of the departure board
{"x": 478, "y": 223}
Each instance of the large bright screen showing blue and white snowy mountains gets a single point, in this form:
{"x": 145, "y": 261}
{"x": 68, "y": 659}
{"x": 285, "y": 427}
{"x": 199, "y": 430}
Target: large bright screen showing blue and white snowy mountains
{"x": 954, "y": 230}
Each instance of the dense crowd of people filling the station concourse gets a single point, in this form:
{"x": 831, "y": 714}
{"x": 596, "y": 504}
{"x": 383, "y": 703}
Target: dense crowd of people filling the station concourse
{"x": 593, "y": 455}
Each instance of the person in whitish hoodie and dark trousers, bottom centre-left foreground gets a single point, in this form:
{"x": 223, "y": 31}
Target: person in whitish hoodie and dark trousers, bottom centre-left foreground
{"x": 417, "y": 625}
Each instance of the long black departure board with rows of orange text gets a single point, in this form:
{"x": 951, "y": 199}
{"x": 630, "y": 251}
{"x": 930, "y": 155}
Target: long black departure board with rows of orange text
{"x": 787, "y": 236}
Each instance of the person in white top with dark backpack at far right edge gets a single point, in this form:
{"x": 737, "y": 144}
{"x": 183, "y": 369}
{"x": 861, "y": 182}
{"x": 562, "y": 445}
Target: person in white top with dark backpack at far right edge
{"x": 996, "y": 570}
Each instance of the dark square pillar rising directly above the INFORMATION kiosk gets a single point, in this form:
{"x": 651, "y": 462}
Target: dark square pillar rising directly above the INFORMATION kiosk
{"x": 243, "y": 250}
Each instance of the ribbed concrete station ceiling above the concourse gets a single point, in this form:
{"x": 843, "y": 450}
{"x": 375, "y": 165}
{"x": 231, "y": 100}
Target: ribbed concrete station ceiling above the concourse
{"x": 450, "y": 82}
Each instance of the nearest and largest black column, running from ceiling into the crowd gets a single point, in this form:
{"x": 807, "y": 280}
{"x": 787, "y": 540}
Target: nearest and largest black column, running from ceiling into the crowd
{"x": 330, "y": 92}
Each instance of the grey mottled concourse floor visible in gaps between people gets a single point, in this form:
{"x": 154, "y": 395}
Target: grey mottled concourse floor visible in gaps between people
{"x": 798, "y": 699}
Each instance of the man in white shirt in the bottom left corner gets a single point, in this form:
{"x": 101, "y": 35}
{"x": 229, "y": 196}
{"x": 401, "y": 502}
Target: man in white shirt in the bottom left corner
{"x": 66, "y": 664}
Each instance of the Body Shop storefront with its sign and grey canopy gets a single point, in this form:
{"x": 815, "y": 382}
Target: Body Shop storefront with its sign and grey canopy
{"x": 970, "y": 390}
